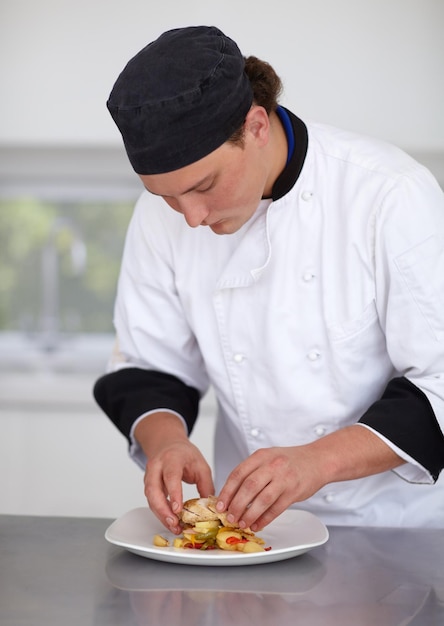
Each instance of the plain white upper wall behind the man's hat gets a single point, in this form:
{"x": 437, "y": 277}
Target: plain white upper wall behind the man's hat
{"x": 371, "y": 66}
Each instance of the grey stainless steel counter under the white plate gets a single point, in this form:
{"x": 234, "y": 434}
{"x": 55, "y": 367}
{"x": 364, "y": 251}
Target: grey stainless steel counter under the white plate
{"x": 61, "y": 571}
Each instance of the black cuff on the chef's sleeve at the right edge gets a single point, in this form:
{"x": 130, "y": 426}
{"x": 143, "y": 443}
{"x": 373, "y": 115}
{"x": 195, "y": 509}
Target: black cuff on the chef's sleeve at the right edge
{"x": 405, "y": 417}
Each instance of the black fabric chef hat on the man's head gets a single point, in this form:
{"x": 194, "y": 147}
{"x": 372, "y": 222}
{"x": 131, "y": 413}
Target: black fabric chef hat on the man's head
{"x": 180, "y": 98}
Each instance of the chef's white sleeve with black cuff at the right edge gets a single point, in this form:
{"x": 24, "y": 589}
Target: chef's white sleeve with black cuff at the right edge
{"x": 409, "y": 265}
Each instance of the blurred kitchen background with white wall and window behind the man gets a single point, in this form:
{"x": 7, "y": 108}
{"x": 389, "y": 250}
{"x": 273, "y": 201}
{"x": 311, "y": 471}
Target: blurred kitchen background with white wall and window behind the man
{"x": 67, "y": 192}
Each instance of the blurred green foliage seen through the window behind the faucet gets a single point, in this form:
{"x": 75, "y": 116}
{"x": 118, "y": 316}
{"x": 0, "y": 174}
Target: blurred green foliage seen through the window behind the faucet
{"x": 85, "y": 295}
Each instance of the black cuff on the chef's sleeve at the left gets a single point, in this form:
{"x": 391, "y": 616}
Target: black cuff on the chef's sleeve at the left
{"x": 128, "y": 393}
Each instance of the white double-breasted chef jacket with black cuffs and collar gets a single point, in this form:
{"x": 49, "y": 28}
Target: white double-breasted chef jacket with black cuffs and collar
{"x": 325, "y": 309}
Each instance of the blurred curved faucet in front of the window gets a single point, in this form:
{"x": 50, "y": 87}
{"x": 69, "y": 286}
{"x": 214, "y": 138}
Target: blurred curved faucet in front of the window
{"x": 50, "y": 318}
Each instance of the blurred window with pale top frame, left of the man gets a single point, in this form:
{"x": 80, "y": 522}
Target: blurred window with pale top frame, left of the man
{"x": 63, "y": 219}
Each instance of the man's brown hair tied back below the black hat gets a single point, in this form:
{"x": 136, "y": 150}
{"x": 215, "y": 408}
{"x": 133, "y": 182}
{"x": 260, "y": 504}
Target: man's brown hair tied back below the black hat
{"x": 267, "y": 87}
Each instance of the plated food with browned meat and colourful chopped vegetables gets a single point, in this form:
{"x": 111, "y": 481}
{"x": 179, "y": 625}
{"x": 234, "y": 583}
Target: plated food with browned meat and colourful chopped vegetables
{"x": 204, "y": 528}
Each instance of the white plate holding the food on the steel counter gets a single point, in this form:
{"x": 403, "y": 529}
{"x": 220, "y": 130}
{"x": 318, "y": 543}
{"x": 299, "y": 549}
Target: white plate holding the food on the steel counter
{"x": 291, "y": 534}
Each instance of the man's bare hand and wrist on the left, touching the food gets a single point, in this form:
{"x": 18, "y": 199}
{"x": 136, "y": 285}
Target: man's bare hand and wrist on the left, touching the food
{"x": 172, "y": 459}
